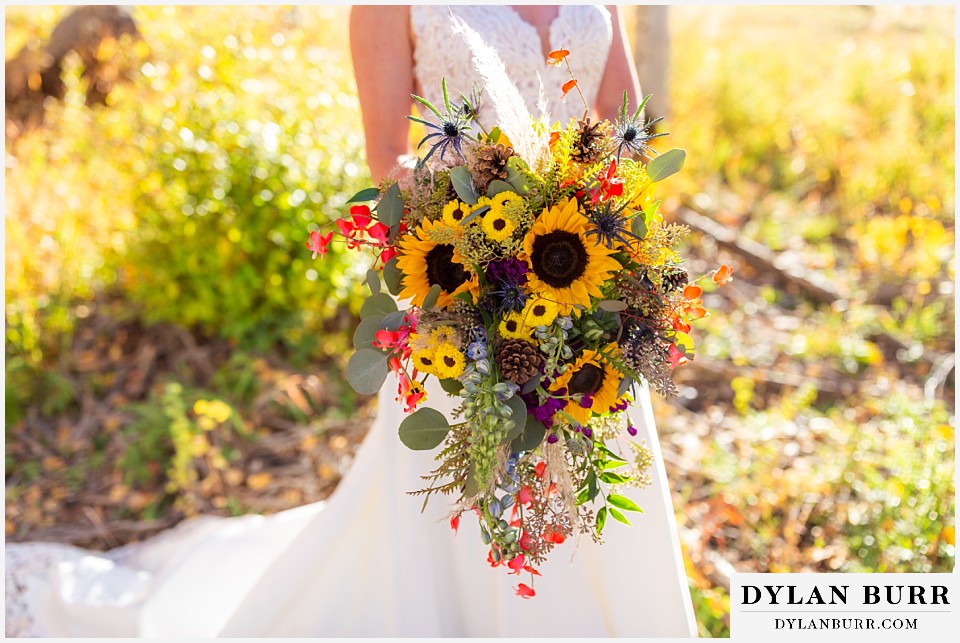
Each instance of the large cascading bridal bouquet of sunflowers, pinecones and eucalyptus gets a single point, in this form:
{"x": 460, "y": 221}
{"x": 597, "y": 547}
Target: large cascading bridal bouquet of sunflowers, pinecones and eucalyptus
{"x": 542, "y": 286}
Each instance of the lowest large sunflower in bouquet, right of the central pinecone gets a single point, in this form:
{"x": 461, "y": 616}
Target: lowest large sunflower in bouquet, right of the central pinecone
{"x": 591, "y": 376}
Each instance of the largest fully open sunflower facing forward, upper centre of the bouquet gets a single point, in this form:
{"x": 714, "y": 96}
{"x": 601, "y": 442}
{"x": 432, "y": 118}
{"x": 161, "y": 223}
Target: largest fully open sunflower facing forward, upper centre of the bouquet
{"x": 566, "y": 266}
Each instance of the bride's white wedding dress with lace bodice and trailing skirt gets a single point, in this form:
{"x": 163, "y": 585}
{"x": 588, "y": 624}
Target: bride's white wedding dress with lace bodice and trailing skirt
{"x": 366, "y": 562}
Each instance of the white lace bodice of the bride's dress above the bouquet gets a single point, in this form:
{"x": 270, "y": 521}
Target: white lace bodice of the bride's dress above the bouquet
{"x": 440, "y": 53}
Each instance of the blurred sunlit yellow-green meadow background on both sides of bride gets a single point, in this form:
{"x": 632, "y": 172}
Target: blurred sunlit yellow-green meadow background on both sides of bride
{"x": 172, "y": 350}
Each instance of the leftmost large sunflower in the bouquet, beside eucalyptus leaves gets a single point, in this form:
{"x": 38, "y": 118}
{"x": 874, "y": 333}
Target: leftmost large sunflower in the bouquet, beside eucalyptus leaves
{"x": 424, "y": 262}
